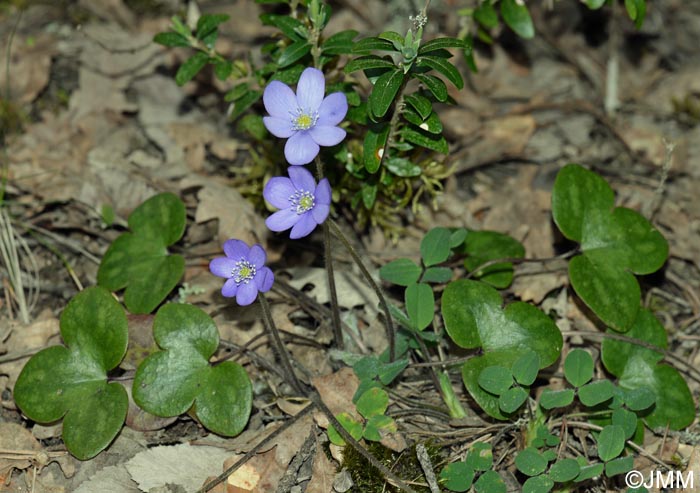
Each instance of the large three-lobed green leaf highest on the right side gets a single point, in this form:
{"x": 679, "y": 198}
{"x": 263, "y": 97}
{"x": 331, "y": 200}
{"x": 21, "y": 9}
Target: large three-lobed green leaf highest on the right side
{"x": 616, "y": 243}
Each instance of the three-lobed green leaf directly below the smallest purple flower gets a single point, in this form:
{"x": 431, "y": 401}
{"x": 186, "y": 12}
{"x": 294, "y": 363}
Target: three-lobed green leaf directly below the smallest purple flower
{"x": 179, "y": 377}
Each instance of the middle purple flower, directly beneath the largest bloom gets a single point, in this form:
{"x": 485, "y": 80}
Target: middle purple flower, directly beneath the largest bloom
{"x": 303, "y": 204}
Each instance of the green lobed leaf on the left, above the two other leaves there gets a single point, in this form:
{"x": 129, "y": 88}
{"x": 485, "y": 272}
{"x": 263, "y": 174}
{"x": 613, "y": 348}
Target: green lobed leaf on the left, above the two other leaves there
{"x": 139, "y": 261}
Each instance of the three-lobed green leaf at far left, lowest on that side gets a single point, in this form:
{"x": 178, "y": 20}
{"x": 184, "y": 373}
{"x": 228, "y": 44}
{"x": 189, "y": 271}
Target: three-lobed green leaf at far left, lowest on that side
{"x": 71, "y": 382}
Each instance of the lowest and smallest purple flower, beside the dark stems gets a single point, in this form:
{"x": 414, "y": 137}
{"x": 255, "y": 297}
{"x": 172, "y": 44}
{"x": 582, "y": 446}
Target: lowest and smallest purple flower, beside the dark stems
{"x": 244, "y": 269}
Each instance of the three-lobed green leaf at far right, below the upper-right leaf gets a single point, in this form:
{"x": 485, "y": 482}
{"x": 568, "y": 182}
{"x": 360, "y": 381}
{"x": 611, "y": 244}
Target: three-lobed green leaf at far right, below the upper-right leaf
{"x": 638, "y": 367}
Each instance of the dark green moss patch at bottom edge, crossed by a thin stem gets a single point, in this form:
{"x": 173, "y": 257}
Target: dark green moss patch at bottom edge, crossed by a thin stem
{"x": 368, "y": 479}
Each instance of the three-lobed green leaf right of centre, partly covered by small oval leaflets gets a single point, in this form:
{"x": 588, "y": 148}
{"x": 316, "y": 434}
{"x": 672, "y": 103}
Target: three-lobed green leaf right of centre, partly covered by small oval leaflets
{"x": 474, "y": 318}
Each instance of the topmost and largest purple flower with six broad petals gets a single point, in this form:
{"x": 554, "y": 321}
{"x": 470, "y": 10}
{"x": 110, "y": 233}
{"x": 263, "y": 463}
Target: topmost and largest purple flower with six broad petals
{"x": 308, "y": 119}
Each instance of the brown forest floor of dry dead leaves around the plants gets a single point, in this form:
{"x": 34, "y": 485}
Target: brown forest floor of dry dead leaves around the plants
{"x": 95, "y": 121}
